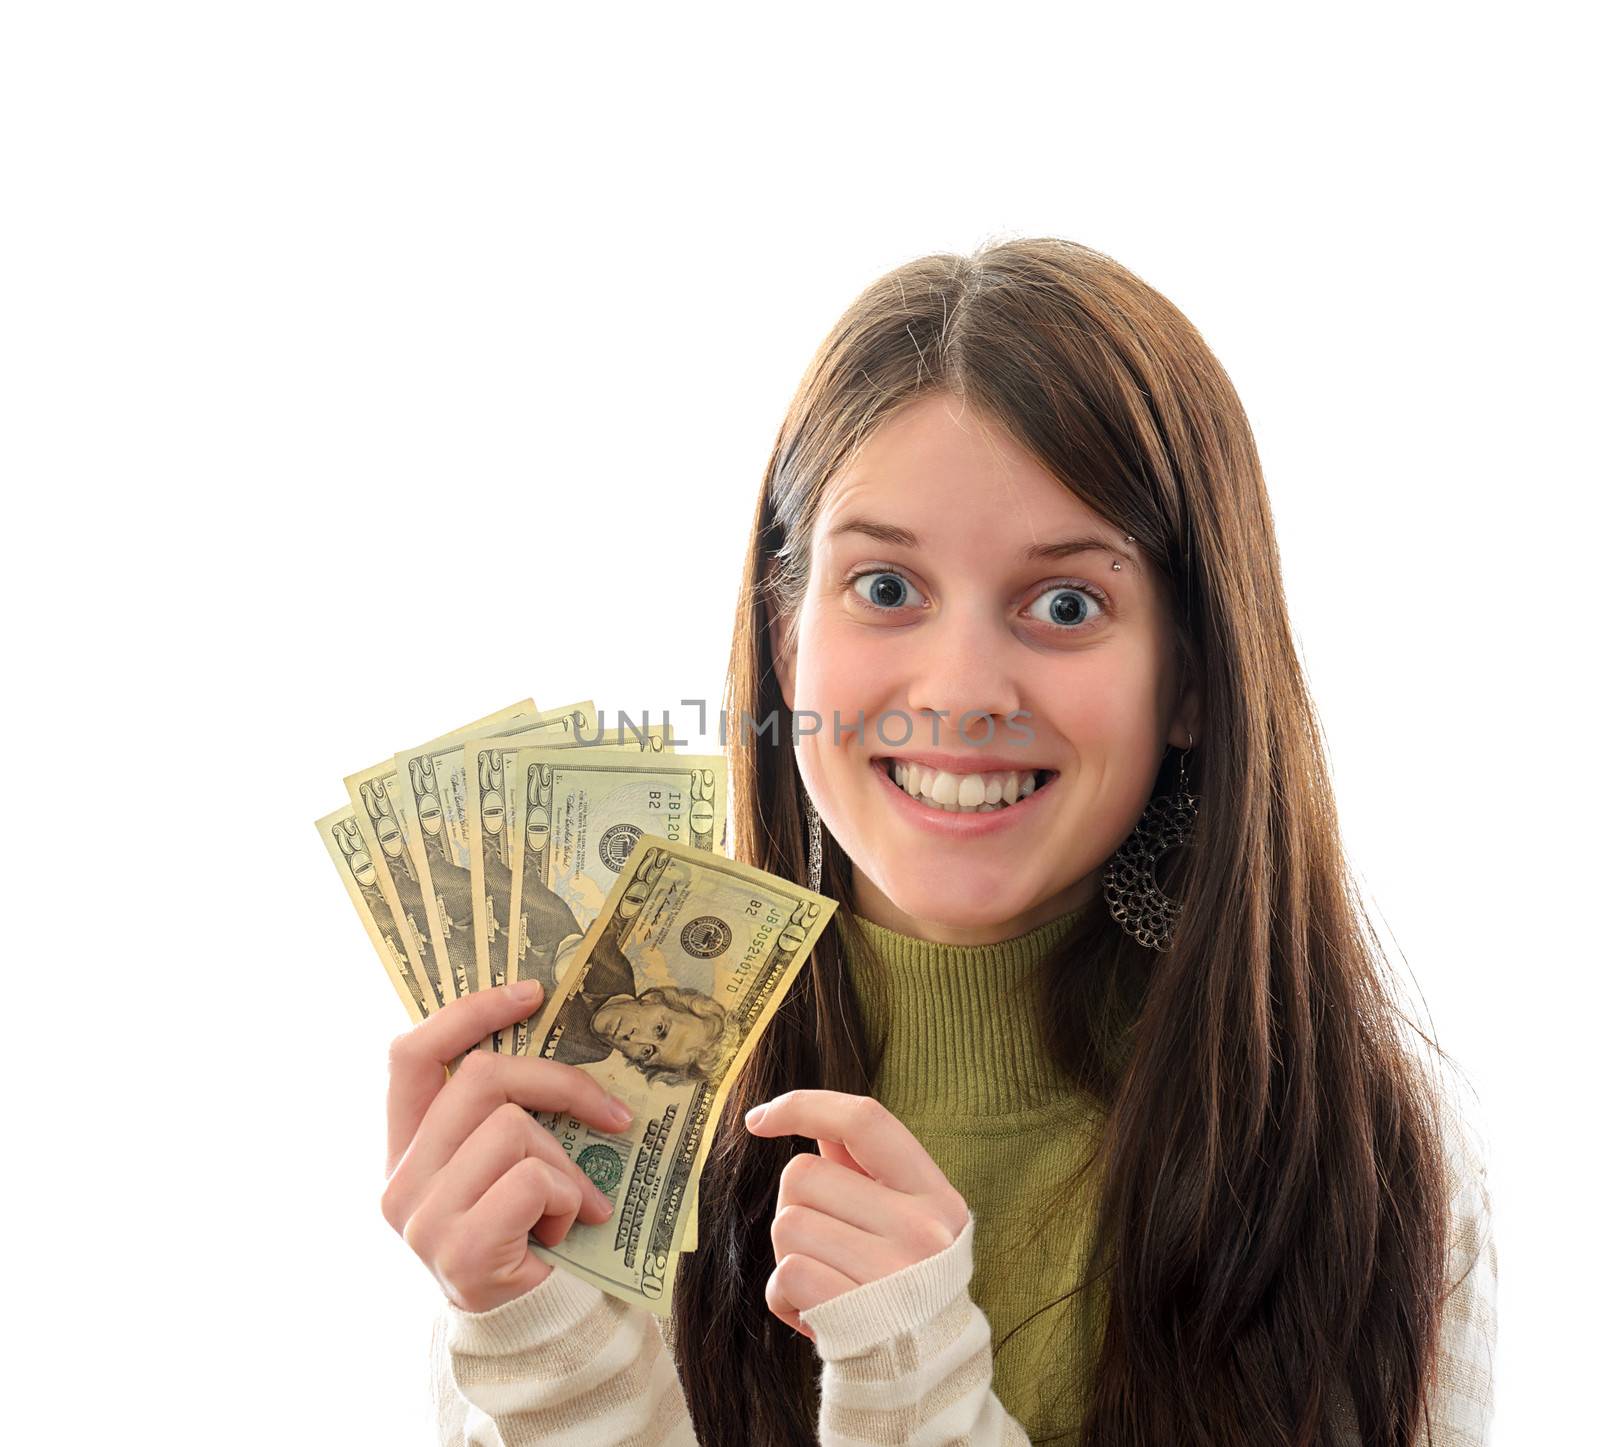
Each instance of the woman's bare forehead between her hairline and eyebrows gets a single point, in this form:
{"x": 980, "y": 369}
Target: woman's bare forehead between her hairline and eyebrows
{"x": 953, "y": 476}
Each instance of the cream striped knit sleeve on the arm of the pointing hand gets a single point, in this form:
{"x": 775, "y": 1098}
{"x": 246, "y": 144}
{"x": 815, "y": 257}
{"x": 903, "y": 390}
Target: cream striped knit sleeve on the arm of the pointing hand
{"x": 906, "y": 1360}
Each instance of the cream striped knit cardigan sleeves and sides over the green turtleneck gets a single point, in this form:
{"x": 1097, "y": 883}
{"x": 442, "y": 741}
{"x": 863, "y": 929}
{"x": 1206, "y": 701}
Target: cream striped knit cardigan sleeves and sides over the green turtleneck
{"x": 905, "y": 1360}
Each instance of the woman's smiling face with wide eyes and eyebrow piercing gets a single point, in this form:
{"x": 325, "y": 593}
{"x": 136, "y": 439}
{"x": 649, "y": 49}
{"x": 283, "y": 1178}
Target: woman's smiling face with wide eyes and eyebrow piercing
{"x": 932, "y": 595}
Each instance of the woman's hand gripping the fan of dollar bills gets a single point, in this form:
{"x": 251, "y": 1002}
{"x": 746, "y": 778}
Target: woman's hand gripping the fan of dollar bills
{"x": 471, "y": 1172}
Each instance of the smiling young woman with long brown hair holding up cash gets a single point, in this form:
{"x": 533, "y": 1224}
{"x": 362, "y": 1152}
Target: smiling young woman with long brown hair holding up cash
{"x": 1058, "y": 1145}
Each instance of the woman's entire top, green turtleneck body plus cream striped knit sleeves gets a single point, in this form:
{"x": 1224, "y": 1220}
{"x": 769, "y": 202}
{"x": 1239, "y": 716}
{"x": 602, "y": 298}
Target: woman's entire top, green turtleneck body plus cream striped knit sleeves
{"x": 966, "y": 1073}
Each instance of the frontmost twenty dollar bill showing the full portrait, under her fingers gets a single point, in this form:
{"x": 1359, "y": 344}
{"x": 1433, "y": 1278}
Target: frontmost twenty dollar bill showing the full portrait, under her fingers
{"x": 663, "y": 1003}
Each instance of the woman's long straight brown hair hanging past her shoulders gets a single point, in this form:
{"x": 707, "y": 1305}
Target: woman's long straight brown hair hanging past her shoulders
{"x": 1271, "y": 1229}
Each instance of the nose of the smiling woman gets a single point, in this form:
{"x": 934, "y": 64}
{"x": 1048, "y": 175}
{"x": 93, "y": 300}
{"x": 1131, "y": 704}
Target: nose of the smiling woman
{"x": 967, "y": 663}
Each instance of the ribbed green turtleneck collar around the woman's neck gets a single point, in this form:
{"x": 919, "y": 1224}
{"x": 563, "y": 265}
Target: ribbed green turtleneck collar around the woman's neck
{"x": 961, "y": 1022}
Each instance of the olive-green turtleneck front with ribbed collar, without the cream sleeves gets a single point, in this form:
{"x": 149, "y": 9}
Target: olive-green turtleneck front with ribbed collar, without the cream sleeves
{"x": 964, "y": 1068}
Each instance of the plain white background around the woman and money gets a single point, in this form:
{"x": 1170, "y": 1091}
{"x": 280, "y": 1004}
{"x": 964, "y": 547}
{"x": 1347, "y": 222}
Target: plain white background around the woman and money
{"x": 367, "y": 367}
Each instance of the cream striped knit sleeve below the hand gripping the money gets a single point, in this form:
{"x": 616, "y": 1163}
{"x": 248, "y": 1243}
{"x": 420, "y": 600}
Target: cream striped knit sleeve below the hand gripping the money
{"x": 561, "y": 1366}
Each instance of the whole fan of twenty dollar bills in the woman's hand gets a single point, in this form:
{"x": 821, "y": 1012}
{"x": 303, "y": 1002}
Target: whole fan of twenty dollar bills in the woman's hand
{"x": 535, "y": 846}
